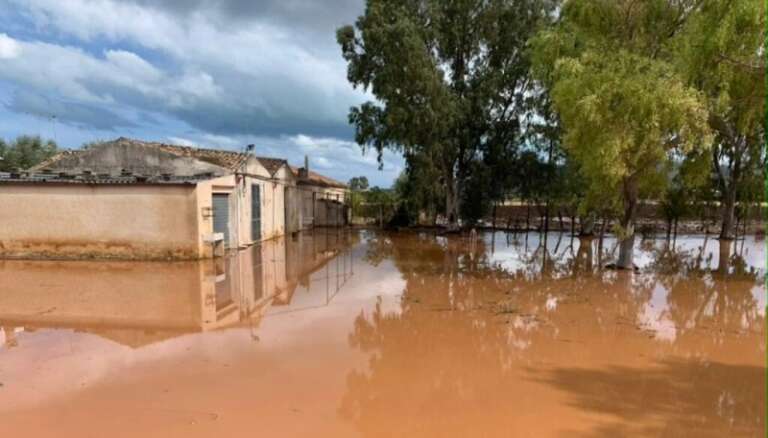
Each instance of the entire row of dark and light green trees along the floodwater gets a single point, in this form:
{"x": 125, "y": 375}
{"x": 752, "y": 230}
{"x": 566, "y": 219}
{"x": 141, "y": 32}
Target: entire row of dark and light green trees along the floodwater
{"x": 585, "y": 109}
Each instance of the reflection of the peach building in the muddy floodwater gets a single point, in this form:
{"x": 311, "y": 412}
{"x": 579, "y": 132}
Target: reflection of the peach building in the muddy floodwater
{"x": 139, "y": 303}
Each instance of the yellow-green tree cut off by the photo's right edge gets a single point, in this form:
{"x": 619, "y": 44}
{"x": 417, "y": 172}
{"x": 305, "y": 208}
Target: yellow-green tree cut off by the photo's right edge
{"x": 721, "y": 51}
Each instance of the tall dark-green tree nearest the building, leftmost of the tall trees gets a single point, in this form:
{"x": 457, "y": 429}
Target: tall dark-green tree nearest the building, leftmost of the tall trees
{"x": 449, "y": 77}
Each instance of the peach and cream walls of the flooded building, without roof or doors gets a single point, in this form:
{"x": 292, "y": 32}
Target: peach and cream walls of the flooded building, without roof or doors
{"x": 145, "y": 222}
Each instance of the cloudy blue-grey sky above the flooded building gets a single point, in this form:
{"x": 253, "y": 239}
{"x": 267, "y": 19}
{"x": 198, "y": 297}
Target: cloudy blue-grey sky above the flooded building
{"x": 213, "y": 73}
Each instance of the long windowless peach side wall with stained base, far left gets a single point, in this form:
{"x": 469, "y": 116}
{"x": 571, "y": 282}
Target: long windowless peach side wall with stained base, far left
{"x": 104, "y": 221}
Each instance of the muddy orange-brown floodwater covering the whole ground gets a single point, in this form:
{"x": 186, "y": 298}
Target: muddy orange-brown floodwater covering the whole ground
{"x": 358, "y": 333}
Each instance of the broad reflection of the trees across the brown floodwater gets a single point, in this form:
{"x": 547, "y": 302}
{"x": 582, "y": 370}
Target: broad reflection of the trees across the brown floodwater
{"x": 675, "y": 350}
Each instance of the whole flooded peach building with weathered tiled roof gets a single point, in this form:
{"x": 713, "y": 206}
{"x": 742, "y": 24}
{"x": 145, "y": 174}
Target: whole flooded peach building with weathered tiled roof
{"x": 130, "y": 199}
